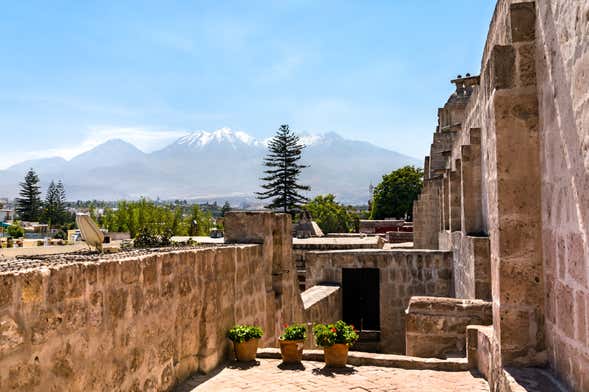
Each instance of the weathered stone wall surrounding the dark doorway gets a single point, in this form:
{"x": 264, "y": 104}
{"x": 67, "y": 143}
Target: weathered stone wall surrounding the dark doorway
{"x": 403, "y": 274}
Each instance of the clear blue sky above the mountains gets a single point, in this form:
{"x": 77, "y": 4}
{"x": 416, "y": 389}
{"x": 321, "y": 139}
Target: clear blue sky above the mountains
{"x": 75, "y": 73}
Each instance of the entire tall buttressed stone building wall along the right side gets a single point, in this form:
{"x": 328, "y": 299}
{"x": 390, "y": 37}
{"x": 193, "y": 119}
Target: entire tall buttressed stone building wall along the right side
{"x": 520, "y": 152}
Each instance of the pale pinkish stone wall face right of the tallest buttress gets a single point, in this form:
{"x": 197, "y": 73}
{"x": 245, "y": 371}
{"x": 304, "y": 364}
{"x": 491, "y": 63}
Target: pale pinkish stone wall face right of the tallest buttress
{"x": 562, "y": 35}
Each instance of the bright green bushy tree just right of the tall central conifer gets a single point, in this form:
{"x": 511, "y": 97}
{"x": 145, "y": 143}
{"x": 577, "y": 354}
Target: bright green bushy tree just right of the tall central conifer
{"x": 331, "y": 216}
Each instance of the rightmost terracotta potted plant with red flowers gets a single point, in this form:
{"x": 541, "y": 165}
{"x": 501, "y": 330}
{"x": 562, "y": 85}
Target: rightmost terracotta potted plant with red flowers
{"x": 335, "y": 340}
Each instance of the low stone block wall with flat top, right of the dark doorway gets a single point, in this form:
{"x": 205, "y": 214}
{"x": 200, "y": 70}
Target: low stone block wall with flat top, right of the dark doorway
{"x": 436, "y": 327}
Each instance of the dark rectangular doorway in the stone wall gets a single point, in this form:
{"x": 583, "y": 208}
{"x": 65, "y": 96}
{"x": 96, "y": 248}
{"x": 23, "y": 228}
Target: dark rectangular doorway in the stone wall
{"x": 361, "y": 287}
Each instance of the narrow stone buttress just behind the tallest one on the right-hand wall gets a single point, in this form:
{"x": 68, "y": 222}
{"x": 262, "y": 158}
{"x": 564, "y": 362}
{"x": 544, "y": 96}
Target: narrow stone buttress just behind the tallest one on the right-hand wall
{"x": 471, "y": 211}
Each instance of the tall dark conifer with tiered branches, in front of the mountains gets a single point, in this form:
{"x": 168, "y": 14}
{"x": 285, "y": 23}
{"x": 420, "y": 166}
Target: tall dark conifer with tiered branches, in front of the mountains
{"x": 281, "y": 180}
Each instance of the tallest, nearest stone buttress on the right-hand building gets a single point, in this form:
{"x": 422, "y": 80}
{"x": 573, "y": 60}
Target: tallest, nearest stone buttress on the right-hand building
{"x": 514, "y": 194}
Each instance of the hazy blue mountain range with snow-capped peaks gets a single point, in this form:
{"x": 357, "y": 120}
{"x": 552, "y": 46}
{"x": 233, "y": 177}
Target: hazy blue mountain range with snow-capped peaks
{"x": 219, "y": 165}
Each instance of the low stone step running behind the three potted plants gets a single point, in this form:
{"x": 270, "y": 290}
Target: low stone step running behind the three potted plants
{"x": 357, "y": 358}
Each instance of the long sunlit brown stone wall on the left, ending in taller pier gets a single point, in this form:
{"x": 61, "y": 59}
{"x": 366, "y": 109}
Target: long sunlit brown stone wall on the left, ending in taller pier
{"x": 140, "y": 320}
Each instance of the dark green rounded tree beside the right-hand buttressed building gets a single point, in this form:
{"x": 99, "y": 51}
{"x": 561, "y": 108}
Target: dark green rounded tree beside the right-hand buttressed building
{"x": 394, "y": 196}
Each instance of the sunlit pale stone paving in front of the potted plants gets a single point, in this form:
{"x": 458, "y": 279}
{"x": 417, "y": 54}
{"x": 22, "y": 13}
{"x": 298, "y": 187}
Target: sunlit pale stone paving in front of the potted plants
{"x": 272, "y": 375}
